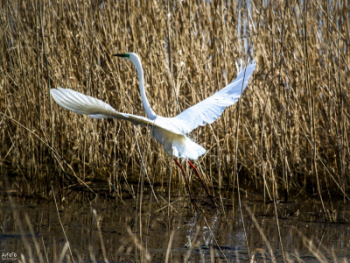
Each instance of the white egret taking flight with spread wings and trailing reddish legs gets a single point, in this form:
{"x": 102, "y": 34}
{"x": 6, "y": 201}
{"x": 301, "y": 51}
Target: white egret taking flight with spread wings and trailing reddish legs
{"x": 170, "y": 132}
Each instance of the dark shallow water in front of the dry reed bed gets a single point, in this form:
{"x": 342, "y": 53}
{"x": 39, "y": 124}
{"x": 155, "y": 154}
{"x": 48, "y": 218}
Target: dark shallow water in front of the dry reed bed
{"x": 191, "y": 236}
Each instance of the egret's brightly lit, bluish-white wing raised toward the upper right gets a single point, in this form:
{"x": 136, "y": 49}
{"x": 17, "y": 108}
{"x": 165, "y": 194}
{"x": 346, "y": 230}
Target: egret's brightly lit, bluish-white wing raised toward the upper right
{"x": 208, "y": 110}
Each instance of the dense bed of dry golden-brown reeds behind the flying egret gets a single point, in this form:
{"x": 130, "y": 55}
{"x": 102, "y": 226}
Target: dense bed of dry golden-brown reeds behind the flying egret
{"x": 292, "y": 123}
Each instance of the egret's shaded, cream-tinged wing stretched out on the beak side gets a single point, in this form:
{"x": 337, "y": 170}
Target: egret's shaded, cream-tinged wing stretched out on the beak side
{"x": 95, "y": 108}
